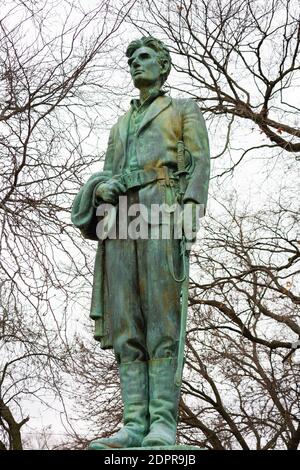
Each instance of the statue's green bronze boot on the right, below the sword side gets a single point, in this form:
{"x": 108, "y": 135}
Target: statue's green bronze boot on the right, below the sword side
{"x": 164, "y": 400}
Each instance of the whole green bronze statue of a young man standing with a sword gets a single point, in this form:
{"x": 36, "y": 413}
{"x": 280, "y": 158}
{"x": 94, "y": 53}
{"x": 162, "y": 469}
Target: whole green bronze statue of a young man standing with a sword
{"x": 136, "y": 294}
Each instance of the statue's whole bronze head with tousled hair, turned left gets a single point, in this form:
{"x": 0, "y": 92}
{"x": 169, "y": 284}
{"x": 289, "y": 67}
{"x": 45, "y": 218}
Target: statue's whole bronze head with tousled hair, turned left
{"x": 149, "y": 61}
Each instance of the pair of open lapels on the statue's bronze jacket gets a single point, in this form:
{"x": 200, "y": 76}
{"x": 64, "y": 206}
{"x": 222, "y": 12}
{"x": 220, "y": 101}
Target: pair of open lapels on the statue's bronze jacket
{"x": 155, "y": 108}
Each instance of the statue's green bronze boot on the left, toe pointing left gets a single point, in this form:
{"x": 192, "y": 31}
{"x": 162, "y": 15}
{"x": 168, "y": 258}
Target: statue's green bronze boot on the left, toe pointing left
{"x": 134, "y": 387}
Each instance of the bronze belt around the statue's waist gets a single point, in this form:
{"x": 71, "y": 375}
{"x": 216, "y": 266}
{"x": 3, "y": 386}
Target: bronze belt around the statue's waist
{"x": 138, "y": 178}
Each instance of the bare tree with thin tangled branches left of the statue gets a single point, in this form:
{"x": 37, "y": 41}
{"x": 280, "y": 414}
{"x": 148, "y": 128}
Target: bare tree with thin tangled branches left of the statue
{"x": 54, "y": 58}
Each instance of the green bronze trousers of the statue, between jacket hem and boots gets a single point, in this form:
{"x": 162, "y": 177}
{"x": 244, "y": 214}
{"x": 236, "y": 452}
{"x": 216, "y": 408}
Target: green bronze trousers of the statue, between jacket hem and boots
{"x": 144, "y": 298}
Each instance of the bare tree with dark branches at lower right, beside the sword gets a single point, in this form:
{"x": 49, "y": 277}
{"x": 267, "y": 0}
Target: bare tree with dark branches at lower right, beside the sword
{"x": 242, "y": 384}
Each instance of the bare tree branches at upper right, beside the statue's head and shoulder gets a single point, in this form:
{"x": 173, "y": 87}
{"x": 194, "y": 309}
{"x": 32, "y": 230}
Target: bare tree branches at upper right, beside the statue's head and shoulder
{"x": 239, "y": 59}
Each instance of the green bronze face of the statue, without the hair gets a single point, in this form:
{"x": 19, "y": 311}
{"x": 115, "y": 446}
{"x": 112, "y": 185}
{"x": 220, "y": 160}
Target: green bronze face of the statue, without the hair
{"x": 144, "y": 67}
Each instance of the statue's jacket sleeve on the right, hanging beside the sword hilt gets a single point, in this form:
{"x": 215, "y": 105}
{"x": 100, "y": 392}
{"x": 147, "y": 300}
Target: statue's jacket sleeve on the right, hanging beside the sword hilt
{"x": 196, "y": 143}
